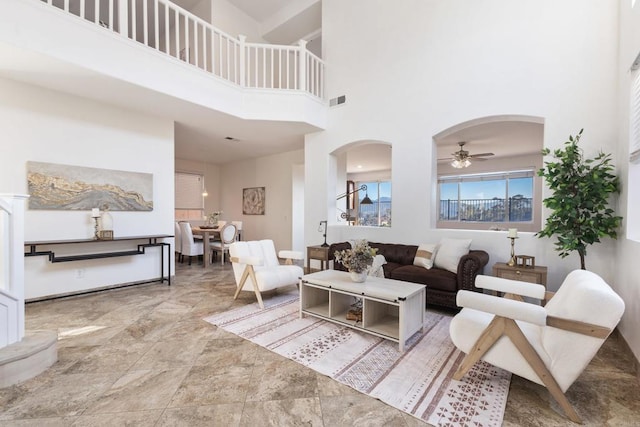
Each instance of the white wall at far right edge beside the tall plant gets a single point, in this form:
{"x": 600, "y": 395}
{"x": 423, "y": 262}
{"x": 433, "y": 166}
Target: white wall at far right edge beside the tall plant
{"x": 627, "y": 281}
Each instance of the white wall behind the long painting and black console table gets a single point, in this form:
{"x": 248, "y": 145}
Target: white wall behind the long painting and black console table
{"x": 47, "y": 126}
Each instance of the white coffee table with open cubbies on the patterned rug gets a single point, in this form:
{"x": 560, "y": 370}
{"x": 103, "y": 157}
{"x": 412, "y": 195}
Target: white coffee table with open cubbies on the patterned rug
{"x": 391, "y": 309}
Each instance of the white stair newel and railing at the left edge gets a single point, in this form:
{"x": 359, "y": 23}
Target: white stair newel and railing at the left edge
{"x": 11, "y": 268}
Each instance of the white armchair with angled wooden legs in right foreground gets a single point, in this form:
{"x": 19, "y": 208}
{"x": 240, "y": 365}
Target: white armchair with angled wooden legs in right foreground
{"x": 550, "y": 345}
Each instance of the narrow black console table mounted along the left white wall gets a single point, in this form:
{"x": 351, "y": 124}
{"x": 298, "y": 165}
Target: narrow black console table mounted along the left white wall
{"x": 151, "y": 241}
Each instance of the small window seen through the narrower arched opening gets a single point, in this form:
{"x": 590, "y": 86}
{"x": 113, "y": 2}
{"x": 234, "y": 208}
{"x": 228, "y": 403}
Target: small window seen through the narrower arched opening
{"x": 378, "y": 213}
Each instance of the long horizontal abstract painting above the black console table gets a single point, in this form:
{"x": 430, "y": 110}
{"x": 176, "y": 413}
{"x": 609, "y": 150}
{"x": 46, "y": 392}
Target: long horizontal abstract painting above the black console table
{"x": 63, "y": 187}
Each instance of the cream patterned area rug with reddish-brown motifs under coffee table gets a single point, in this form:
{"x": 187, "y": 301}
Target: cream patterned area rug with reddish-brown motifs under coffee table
{"x": 417, "y": 381}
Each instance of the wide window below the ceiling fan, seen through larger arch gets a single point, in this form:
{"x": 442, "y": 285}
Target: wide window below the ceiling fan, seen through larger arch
{"x": 504, "y": 197}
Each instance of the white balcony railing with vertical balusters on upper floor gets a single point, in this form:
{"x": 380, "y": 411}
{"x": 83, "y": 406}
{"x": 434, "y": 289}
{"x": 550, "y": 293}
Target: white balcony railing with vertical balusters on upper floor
{"x": 174, "y": 31}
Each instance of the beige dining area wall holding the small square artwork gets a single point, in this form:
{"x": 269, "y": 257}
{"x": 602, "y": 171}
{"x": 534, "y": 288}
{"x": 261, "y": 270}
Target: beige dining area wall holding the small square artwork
{"x": 275, "y": 173}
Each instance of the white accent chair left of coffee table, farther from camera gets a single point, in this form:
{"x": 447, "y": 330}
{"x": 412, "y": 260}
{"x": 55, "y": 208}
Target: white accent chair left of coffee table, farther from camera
{"x": 257, "y": 268}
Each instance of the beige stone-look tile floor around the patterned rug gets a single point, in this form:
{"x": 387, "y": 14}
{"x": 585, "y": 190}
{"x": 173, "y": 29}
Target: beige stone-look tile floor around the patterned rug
{"x": 143, "y": 356}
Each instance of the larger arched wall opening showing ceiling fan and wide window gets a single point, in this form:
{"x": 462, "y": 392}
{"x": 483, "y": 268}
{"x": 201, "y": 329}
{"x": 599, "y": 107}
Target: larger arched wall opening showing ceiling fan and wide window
{"x": 486, "y": 174}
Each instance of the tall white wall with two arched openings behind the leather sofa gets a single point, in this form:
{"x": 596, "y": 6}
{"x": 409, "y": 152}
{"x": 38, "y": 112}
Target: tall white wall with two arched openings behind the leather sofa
{"x": 448, "y": 63}
